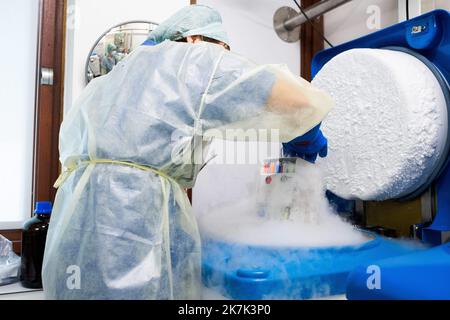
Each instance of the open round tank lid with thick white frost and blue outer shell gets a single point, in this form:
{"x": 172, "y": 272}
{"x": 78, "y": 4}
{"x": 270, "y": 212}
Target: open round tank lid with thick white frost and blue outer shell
{"x": 389, "y": 131}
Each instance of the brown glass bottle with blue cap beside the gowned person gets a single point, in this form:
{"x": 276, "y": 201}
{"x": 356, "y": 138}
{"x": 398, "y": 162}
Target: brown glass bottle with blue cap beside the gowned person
{"x": 34, "y": 235}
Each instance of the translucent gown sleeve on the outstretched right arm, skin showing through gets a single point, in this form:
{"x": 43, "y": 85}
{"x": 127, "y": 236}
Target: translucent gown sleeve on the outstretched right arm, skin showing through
{"x": 244, "y": 98}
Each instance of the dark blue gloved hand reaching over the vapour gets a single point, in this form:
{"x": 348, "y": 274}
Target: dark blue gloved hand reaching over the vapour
{"x": 308, "y": 146}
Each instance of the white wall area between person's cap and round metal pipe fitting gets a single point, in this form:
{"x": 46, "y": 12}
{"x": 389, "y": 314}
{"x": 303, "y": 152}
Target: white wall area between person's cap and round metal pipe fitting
{"x": 249, "y": 25}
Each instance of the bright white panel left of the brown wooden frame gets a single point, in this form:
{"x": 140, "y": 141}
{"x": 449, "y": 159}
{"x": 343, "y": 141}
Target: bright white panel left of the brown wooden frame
{"x": 18, "y": 33}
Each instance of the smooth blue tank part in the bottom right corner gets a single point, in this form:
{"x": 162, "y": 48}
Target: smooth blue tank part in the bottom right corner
{"x": 419, "y": 276}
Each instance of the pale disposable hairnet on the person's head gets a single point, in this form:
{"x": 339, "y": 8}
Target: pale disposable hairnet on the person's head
{"x": 191, "y": 21}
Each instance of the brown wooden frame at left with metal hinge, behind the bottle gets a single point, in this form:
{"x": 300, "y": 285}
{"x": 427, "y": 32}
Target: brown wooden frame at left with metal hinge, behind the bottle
{"x": 48, "y": 107}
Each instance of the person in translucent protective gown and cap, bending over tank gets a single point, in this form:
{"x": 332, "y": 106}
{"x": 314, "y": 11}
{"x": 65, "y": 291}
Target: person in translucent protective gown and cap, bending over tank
{"x": 122, "y": 225}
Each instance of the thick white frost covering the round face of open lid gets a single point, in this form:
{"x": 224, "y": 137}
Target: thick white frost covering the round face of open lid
{"x": 388, "y": 128}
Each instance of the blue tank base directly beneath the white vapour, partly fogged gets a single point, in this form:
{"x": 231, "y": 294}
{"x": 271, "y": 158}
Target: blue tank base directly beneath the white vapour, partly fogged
{"x": 242, "y": 272}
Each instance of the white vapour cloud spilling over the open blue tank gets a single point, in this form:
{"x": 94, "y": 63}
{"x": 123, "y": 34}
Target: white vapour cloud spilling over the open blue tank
{"x": 312, "y": 223}
